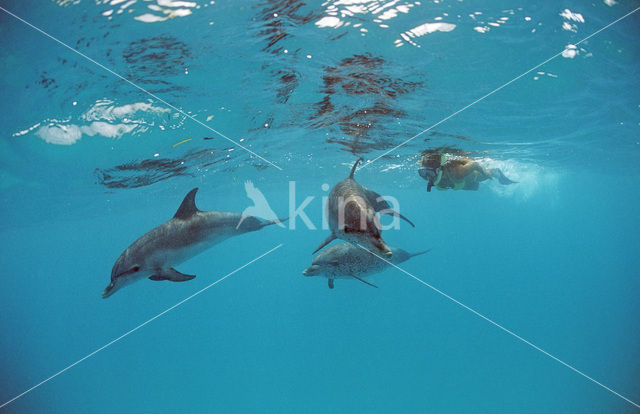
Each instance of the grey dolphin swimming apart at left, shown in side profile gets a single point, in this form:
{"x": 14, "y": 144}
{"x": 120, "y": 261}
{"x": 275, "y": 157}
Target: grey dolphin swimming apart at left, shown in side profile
{"x": 187, "y": 234}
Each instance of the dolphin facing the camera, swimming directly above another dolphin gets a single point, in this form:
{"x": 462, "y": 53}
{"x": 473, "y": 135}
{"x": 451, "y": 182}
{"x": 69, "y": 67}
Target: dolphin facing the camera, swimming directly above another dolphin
{"x": 351, "y": 210}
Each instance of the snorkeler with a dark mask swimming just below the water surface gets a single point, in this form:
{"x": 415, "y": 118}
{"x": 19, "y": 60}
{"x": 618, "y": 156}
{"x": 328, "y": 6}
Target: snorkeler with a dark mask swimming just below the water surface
{"x": 458, "y": 172}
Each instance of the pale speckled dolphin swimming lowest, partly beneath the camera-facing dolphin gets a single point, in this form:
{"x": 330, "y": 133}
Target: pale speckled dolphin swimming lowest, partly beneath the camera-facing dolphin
{"x": 346, "y": 261}
